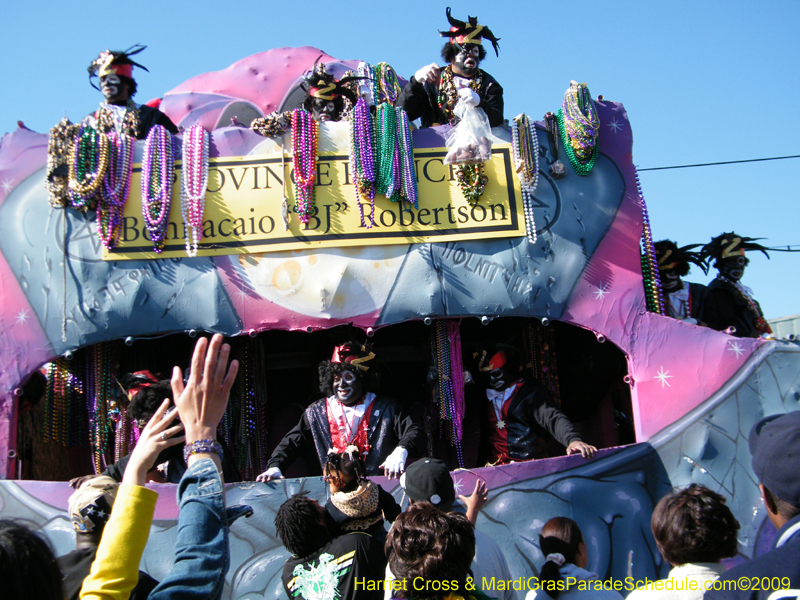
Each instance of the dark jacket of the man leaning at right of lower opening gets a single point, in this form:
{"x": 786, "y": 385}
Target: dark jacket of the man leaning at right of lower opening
{"x": 532, "y": 414}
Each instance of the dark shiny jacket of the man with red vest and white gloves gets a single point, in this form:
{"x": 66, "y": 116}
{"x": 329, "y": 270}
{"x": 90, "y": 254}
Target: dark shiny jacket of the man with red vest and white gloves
{"x": 389, "y": 427}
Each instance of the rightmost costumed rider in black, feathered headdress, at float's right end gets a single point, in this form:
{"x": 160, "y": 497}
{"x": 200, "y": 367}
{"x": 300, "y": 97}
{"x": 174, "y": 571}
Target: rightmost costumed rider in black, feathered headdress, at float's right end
{"x": 734, "y": 304}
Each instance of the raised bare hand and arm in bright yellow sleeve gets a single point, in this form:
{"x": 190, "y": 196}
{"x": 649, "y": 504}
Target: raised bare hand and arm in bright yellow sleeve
{"x": 115, "y": 569}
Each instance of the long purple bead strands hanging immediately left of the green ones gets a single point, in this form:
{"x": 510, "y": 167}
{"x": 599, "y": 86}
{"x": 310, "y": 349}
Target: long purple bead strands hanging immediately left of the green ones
{"x": 362, "y": 159}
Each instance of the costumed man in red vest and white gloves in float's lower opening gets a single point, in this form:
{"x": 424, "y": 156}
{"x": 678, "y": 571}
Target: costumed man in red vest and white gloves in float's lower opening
{"x": 351, "y": 415}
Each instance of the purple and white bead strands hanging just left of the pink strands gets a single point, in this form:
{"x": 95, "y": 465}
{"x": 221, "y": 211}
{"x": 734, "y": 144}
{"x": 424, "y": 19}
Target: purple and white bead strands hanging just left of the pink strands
{"x": 157, "y": 172}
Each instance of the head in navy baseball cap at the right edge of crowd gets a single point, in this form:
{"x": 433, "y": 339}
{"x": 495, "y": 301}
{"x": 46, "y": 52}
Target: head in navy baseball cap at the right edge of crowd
{"x": 775, "y": 448}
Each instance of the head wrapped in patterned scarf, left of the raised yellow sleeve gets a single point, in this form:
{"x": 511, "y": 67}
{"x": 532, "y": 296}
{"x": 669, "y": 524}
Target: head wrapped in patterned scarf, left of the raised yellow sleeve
{"x": 90, "y": 508}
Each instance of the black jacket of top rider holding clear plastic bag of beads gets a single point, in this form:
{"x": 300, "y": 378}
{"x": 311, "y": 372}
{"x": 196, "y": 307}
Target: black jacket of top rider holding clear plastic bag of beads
{"x": 421, "y": 101}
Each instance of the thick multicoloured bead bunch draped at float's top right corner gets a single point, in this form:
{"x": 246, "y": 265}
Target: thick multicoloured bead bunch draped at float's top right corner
{"x": 580, "y": 126}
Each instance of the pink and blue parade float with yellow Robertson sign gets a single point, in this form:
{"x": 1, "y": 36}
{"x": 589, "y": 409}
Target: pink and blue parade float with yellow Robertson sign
{"x": 553, "y": 254}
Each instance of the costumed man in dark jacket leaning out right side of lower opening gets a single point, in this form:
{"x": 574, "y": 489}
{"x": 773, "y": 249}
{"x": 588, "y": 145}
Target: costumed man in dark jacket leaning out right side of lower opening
{"x": 522, "y": 413}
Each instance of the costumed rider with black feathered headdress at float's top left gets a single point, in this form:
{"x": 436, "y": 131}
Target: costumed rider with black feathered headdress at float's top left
{"x": 118, "y": 111}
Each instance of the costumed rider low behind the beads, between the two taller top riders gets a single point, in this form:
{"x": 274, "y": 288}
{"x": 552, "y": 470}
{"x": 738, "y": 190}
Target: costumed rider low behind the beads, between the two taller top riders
{"x": 325, "y": 100}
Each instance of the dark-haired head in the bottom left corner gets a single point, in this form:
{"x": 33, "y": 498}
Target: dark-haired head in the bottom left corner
{"x": 28, "y": 568}
